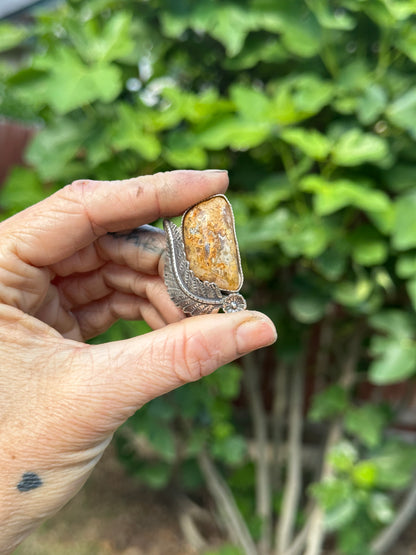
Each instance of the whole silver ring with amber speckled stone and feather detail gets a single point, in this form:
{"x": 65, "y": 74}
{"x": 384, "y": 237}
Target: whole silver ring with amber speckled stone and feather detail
{"x": 203, "y": 267}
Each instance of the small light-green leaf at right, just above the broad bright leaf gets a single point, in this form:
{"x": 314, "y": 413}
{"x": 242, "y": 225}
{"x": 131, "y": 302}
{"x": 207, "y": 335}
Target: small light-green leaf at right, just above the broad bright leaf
{"x": 355, "y": 148}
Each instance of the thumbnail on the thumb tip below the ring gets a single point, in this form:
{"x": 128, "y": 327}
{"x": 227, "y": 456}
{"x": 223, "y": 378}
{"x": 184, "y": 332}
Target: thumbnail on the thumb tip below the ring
{"x": 255, "y": 332}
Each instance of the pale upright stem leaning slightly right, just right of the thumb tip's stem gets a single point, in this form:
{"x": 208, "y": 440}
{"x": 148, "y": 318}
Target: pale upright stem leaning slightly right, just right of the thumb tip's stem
{"x": 292, "y": 489}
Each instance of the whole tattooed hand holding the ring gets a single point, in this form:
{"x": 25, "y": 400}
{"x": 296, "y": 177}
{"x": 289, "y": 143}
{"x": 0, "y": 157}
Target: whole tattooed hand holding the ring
{"x": 70, "y": 266}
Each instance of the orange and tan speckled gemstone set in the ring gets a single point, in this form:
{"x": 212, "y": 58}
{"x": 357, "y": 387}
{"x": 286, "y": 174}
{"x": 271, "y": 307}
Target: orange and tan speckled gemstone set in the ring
{"x": 211, "y": 245}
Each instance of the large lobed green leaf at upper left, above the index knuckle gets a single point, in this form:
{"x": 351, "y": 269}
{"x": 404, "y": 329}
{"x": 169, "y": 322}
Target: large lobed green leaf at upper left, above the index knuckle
{"x": 72, "y": 84}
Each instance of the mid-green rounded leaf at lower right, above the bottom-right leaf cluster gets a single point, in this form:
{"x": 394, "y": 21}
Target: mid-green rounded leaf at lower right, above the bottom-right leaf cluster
{"x": 367, "y": 423}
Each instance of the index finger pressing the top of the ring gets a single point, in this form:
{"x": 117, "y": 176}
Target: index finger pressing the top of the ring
{"x": 81, "y": 212}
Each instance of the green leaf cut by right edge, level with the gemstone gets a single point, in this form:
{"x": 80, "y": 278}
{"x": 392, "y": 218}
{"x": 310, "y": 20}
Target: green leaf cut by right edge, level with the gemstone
{"x": 404, "y": 230}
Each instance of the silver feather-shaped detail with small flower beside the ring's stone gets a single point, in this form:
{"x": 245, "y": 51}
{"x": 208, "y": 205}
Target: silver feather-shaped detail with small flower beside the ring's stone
{"x": 187, "y": 291}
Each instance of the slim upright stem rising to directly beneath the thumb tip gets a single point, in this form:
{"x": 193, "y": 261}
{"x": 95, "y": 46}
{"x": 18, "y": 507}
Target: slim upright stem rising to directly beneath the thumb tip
{"x": 263, "y": 482}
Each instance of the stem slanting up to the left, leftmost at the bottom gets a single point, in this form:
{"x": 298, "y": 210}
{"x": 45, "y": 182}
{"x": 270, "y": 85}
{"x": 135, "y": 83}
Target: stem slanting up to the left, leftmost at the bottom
{"x": 226, "y": 505}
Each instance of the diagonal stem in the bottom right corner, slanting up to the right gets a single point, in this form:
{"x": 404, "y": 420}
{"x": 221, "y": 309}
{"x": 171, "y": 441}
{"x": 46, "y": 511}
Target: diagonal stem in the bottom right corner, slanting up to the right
{"x": 385, "y": 541}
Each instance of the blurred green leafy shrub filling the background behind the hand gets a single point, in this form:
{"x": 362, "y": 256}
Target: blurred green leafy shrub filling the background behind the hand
{"x": 311, "y": 106}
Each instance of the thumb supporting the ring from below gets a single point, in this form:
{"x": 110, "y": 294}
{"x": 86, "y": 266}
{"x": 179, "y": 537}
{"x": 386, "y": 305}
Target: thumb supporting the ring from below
{"x": 124, "y": 375}
